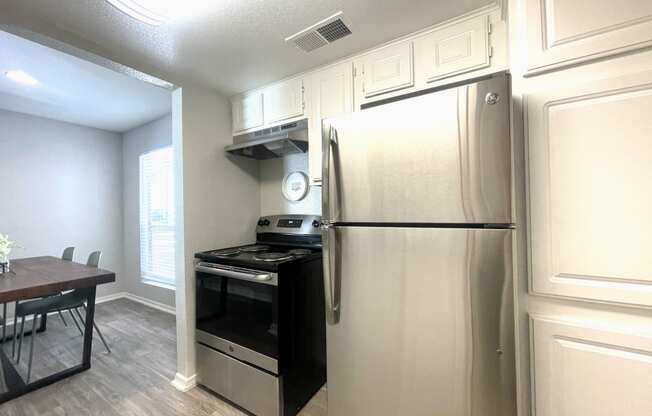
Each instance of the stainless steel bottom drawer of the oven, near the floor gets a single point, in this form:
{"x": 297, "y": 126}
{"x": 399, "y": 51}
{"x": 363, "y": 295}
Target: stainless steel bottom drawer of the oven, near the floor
{"x": 246, "y": 386}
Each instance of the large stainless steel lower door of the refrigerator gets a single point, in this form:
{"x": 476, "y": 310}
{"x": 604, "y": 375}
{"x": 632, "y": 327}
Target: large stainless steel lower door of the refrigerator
{"x": 425, "y": 325}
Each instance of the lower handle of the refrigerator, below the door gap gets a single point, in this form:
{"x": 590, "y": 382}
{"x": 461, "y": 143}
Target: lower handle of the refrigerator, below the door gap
{"x": 331, "y": 273}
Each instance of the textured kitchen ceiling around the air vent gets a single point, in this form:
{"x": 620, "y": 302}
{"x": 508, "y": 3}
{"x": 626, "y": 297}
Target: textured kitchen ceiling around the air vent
{"x": 230, "y": 45}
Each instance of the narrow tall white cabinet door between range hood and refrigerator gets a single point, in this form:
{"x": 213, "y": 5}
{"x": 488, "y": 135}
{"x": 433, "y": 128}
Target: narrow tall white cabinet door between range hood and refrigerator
{"x": 332, "y": 95}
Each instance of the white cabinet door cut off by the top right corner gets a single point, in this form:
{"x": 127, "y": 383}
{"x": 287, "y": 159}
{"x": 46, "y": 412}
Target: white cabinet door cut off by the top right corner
{"x": 565, "y": 32}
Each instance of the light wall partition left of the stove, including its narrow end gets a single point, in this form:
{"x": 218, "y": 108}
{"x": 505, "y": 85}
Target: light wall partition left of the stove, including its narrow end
{"x": 220, "y": 200}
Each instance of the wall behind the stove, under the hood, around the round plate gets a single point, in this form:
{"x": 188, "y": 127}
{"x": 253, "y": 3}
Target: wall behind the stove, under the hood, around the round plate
{"x": 272, "y": 172}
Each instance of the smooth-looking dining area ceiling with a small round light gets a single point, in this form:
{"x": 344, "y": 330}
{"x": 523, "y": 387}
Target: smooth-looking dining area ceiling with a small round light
{"x": 75, "y": 91}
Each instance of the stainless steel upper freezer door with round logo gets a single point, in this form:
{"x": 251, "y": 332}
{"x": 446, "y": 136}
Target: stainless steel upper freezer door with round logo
{"x": 443, "y": 157}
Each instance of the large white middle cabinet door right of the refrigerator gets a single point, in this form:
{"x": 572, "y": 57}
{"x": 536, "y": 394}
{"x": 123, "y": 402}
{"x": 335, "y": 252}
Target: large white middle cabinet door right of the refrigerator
{"x": 590, "y": 158}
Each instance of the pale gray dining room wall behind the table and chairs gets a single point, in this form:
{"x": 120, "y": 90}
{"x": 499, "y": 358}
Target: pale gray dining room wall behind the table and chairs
{"x": 61, "y": 185}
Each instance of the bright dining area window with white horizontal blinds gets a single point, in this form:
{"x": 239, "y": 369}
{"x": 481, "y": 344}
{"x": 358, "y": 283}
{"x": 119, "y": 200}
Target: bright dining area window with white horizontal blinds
{"x": 157, "y": 218}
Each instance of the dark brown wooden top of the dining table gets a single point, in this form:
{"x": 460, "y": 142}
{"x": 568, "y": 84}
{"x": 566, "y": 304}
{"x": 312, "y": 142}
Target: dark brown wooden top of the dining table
{"x": 40, "y": 276}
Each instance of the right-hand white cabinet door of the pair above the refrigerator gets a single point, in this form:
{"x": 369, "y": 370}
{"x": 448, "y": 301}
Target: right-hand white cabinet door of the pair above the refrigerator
{"x": 454, "y": 49}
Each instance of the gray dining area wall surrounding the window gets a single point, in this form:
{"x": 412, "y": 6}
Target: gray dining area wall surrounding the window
{"x": 140, "y": 140}
